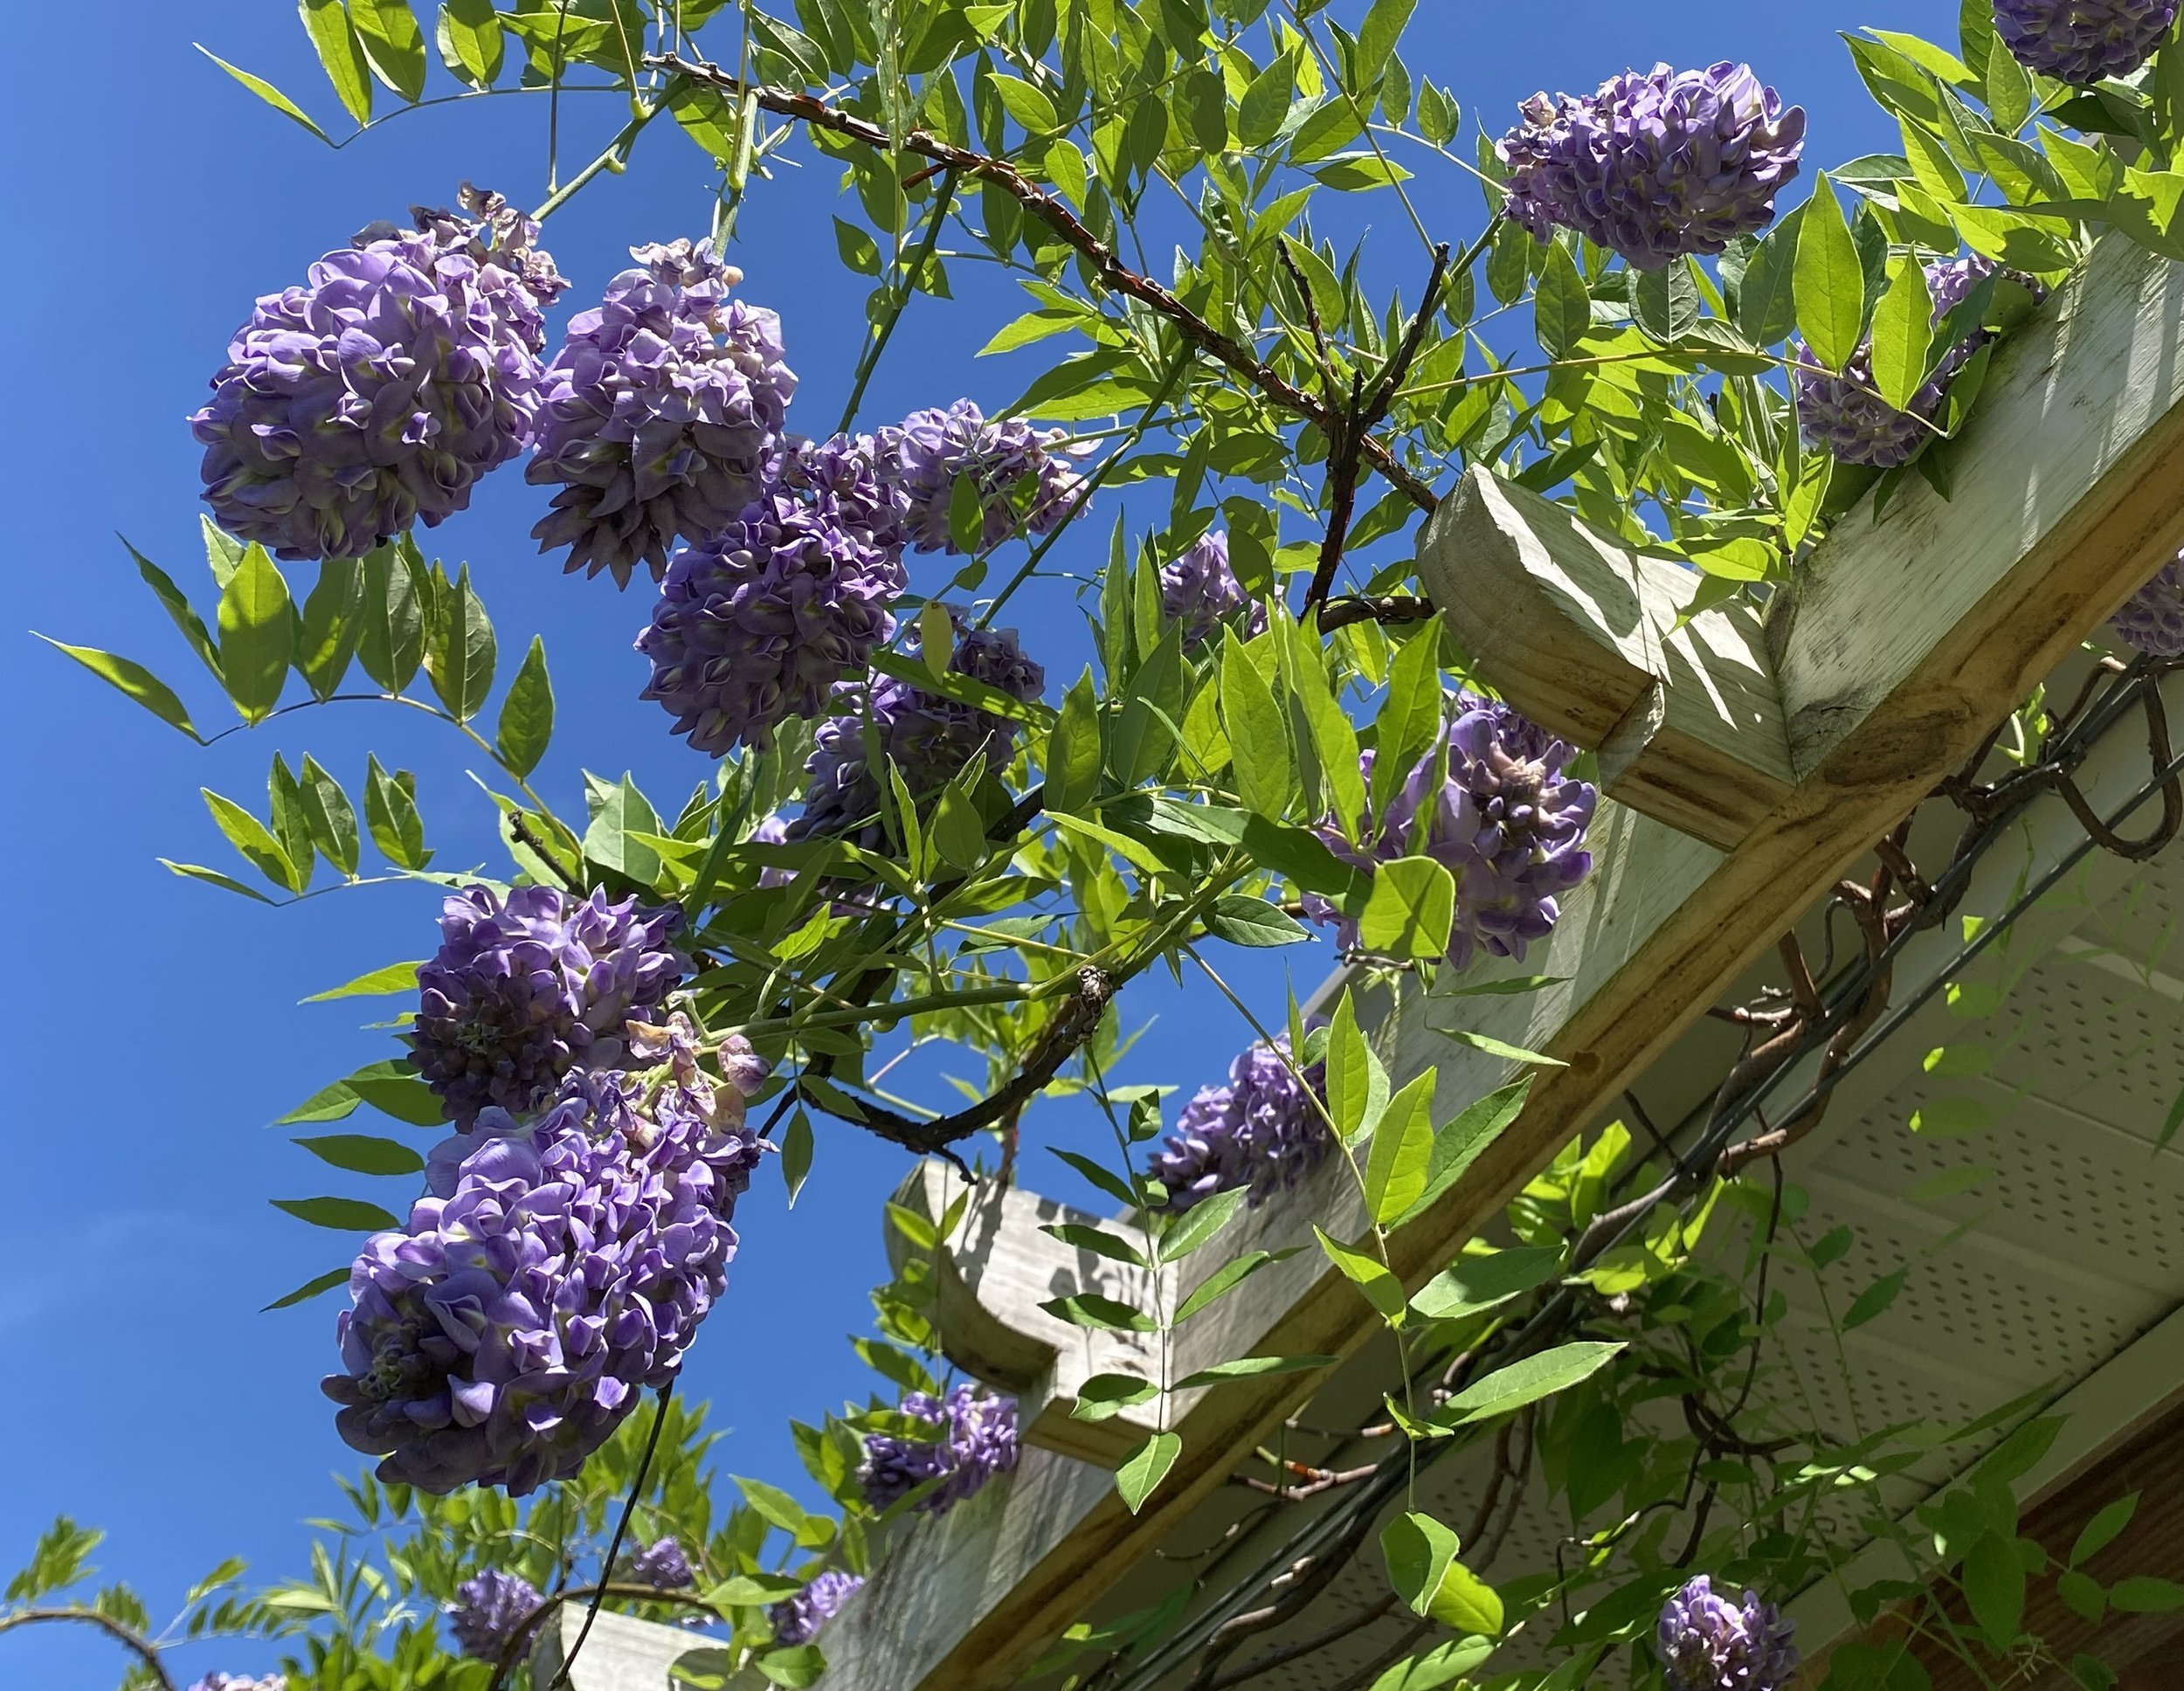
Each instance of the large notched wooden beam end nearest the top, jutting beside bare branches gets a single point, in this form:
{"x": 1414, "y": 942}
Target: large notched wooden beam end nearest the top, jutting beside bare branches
{"x": 1600, "y": 646}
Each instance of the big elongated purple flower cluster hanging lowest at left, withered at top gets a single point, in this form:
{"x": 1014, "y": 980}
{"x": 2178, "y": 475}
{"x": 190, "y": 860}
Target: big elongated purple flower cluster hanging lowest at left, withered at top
{"x": 549, "y": 1277}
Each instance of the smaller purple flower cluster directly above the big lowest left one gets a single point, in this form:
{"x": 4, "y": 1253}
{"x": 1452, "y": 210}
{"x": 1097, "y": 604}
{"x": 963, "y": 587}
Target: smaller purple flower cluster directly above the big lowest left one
{"x": 532, "y": 986}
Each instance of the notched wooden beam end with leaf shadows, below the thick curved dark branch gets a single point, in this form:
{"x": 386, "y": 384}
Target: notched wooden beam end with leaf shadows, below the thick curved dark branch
{"x": 990, "y": 1284}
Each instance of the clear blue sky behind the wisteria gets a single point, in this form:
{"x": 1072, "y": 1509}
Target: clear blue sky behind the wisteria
{"x": 156, "y": 1024}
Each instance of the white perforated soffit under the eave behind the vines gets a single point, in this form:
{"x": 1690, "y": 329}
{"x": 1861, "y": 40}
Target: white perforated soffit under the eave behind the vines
{"x": 2037, "y": 1279}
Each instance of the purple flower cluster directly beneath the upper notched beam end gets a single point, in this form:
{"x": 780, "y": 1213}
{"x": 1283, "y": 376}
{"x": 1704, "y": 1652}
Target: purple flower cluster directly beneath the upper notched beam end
{"x": 1493, "y": 805}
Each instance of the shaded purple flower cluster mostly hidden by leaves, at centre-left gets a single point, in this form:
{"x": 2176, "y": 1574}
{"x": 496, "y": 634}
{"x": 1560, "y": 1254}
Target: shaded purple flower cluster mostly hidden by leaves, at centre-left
{"x": 925, "y": 735}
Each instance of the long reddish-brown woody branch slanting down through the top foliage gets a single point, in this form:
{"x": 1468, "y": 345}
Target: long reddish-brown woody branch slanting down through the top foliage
{"x": 1058, "y": 217}
